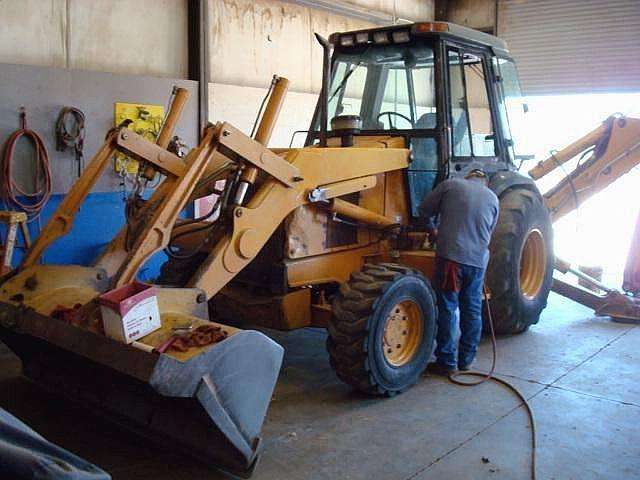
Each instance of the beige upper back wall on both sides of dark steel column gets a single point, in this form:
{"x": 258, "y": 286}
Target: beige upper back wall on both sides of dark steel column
{"x": 250, "y": 40}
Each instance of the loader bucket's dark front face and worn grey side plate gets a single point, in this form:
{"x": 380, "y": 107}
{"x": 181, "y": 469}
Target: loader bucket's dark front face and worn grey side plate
{"x": 211, "y": 406}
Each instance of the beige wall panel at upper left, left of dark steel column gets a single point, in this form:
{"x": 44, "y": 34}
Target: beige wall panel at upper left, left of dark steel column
{"x": 145, "y": 37}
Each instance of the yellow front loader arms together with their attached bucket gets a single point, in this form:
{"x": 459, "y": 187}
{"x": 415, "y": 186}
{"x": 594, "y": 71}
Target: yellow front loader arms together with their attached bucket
{"x": 210, "y": 401}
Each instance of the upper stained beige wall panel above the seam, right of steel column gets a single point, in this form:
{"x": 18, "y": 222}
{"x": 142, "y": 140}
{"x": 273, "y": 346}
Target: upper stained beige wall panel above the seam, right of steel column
{"x": 252, "y": 40}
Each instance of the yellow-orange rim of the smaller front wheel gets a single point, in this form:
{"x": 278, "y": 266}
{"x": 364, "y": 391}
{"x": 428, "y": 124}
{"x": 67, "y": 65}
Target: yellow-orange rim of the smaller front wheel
{"x": 402, "y": 333}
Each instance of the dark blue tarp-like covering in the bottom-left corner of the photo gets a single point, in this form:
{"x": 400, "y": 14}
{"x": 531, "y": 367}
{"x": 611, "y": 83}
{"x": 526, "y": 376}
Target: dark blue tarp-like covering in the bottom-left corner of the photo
{"x": 24, "y": 454}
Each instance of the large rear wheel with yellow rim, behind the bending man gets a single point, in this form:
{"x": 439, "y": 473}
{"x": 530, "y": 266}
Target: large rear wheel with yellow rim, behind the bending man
{"x": 520, "y": 269}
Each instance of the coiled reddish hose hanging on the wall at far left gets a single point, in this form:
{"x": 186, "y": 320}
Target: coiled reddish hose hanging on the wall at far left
{"x": 11, "y": 191}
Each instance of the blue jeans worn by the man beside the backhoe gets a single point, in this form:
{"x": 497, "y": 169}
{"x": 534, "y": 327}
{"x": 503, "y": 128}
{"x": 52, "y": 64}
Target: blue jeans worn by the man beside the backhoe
{"x": 469, "y": 301}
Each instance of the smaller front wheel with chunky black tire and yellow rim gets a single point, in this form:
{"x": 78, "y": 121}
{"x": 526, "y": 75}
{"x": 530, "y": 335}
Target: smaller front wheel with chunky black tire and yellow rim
{"x": 382, "y": 329}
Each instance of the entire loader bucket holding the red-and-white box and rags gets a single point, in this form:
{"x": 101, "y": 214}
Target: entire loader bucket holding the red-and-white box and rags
{"x": 209, "y": 403}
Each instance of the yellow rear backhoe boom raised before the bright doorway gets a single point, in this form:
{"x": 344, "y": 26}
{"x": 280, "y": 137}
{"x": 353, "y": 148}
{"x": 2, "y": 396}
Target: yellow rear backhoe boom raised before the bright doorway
{"x": 616, "y": 150}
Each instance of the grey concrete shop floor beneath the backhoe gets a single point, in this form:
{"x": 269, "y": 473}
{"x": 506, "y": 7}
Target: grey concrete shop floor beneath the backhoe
{"x": 581, "y": 375}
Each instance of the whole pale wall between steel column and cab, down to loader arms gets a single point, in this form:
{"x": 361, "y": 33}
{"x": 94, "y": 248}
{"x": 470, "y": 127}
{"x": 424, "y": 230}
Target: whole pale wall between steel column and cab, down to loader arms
{"x": 250, "y": 41}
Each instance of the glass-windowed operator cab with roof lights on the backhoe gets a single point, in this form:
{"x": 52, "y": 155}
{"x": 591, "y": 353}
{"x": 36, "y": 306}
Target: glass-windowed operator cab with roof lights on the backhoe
{"x": 450, "y": 91}
